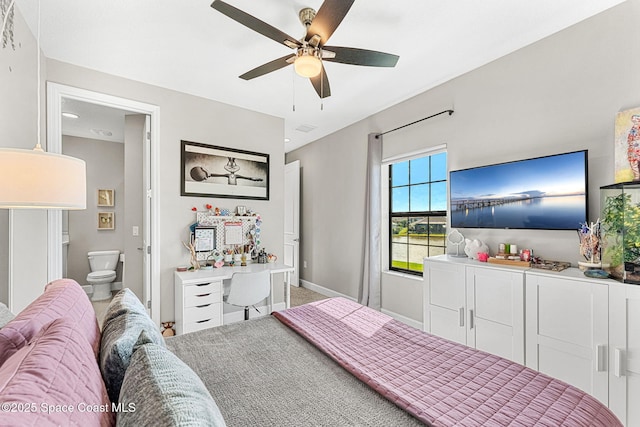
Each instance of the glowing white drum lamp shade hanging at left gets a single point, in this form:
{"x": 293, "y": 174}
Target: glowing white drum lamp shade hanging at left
{"x": 32, "y": 179}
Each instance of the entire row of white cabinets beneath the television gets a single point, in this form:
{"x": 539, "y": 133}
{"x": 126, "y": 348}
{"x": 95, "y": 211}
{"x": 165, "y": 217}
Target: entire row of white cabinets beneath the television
{"x": 583, "y": 331}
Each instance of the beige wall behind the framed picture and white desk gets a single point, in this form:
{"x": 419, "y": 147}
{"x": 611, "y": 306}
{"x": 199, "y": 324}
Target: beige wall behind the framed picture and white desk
{"x": 192, "y": 118}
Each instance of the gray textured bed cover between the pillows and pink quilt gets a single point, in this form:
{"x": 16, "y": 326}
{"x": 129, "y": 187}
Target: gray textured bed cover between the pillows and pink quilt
{"x": 261, "y": 373}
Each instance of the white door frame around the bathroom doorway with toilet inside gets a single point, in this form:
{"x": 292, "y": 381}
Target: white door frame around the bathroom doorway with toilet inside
{"x": 55, "y": 93}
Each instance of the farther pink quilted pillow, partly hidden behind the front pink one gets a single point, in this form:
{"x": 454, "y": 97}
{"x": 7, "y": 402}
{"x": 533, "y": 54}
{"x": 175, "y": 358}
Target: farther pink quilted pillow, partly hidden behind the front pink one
{"x": 61, "y": 298}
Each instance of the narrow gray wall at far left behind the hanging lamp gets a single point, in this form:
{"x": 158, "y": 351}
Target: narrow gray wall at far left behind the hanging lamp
{"x": 18, "y": 117}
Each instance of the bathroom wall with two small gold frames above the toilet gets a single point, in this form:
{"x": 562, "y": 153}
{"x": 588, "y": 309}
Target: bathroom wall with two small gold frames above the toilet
{"x": 105, "y": 170}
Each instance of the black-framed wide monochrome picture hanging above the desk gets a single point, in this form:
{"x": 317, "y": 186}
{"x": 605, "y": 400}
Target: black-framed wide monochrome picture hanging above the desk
{"x": 214, "y": 171}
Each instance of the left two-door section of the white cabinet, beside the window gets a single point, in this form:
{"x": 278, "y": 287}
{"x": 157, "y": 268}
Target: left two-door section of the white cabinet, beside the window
{"x": 480, "y": 305}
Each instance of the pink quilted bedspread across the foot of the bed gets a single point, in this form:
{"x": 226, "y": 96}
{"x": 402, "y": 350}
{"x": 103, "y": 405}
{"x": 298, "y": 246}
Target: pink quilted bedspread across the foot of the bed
{"x": 440, "y": 382}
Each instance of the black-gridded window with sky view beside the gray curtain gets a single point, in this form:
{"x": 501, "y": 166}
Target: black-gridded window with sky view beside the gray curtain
{"x": 417, "y": 211}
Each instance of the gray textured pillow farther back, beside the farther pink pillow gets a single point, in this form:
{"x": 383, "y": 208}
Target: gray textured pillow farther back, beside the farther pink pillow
{"x": 125, "y": 318}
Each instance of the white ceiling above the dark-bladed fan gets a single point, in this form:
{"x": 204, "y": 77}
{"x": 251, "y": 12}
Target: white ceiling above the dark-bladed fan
{"x": 187, "y": 46}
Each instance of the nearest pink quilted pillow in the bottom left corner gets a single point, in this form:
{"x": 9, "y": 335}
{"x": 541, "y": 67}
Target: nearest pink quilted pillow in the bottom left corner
{"x": 54, "y": 380}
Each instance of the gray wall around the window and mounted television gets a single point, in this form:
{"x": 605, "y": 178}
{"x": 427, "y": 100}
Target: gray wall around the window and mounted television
{"x": 557, "y": 95}
